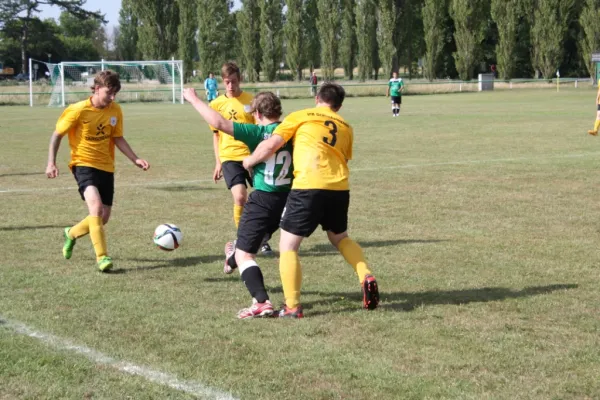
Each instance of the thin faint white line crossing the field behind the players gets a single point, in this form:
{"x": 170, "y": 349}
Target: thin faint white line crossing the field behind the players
{"x": 423, "y": 165}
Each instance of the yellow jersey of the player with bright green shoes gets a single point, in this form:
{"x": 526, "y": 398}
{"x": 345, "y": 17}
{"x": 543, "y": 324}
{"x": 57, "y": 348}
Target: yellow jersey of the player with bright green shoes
{"x": 91, "y": 133}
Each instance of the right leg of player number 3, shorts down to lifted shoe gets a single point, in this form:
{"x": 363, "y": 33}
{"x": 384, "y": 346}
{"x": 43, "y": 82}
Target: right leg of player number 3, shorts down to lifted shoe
{"x": 335, "y": 222}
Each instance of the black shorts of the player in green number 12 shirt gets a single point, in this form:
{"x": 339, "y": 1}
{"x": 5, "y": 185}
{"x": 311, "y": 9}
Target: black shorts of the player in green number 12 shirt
{"x": 261, "y": 217}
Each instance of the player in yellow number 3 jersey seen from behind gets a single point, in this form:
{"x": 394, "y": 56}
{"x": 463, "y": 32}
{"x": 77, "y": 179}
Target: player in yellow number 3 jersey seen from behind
{"x": 320, "y": 192}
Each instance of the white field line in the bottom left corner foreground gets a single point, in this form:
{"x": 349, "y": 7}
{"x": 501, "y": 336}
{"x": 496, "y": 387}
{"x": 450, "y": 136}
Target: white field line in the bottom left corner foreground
{"x": 161, "y": 378}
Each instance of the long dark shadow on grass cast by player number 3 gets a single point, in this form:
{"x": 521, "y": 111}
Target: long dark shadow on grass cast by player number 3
{"x": 405, "y": 301}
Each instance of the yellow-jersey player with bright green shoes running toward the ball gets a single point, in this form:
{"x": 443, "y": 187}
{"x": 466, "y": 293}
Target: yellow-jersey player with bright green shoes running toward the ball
{"x": 94, "y": 127}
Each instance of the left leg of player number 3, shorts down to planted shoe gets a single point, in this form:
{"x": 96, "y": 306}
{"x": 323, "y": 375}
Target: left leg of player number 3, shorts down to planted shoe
{"x": 300, "y": 218}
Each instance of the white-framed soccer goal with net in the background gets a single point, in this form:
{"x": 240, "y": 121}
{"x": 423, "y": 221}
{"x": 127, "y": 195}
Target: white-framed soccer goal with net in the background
{"x": 57, "y": 85}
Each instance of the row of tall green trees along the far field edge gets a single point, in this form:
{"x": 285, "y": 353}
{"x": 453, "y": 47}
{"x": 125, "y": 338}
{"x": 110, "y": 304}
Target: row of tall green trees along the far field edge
{"x": 367, "y": 38}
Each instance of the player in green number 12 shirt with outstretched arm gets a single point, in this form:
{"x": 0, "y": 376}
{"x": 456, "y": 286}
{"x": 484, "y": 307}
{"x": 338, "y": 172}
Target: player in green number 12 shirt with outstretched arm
{"x": 272, "y": 181}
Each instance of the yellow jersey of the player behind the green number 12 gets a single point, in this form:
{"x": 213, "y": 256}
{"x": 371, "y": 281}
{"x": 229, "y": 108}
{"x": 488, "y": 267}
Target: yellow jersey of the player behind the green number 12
{"x": 235, "y": 109}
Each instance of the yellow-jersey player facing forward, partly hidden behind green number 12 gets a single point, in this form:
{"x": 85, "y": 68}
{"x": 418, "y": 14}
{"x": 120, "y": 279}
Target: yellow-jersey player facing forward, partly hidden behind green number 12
{"x": 234, "y": 105}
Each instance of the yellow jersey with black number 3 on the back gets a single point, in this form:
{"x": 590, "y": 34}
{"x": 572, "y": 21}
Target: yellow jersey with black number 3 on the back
{"x": 322, "y": 148}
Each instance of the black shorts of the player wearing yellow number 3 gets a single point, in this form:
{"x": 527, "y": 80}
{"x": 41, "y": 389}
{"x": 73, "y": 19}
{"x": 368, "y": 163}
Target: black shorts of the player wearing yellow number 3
{"x": 308, "y": 208}
